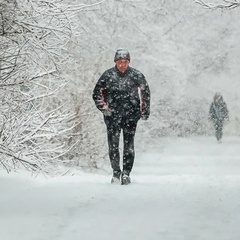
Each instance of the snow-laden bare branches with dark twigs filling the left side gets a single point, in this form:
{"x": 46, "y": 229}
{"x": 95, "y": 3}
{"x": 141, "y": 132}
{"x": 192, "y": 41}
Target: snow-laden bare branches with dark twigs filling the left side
{"x": 37, "y": 124}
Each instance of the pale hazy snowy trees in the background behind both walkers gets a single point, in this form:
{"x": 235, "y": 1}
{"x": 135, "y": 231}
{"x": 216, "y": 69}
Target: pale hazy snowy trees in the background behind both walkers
{"x": 185, "y": 52}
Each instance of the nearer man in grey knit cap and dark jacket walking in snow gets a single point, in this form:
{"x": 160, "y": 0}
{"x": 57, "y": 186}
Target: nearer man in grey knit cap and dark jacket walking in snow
{"x": 122, "y": 94}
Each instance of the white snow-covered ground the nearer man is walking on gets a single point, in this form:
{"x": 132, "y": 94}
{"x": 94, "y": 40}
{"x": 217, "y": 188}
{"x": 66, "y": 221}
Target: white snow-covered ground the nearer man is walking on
{"x": 182, "y": 189}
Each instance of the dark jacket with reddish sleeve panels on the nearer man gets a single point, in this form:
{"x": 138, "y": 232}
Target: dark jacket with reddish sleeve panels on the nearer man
{"x": 127, "y": 94}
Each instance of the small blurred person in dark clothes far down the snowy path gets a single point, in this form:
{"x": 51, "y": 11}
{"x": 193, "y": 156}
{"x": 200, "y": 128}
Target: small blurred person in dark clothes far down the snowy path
{"x": 218, "y": 114}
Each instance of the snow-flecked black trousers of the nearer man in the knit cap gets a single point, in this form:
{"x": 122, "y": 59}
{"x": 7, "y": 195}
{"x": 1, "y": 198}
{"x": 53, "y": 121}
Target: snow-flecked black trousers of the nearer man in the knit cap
{"x": 114, "y": 127}
